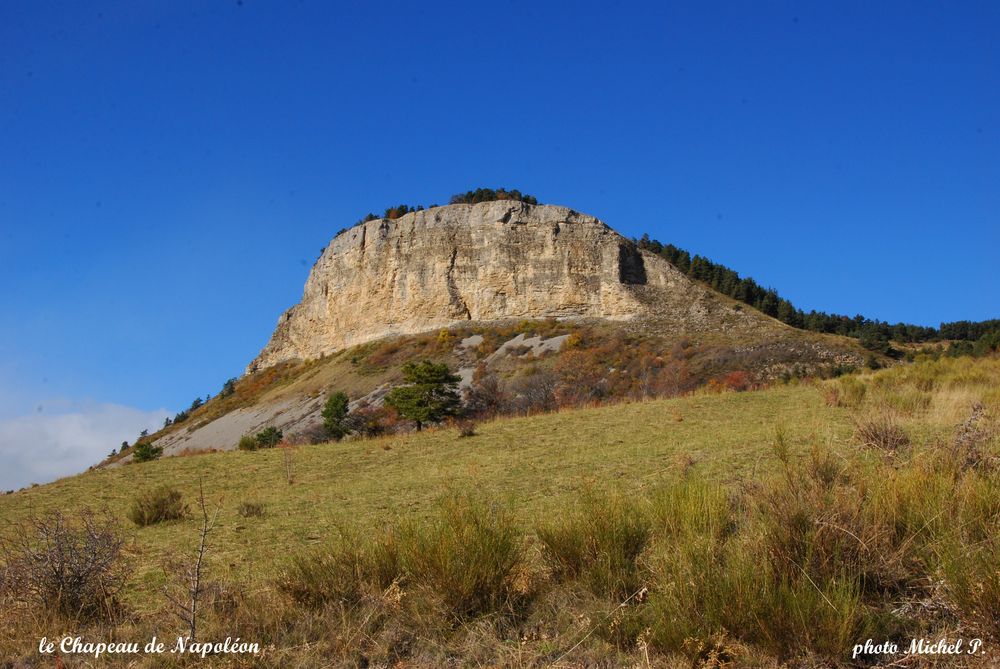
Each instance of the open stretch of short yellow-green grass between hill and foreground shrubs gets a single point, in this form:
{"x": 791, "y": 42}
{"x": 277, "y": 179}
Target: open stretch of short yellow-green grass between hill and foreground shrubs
{"x": 540, "y": 462}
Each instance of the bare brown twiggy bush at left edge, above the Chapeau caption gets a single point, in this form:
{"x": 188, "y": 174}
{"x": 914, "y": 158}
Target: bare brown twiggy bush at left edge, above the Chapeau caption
{"x": 74, "y": 569}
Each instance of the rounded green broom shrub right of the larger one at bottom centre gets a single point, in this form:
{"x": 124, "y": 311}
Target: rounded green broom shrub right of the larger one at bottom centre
{"x": 600, "y": 541}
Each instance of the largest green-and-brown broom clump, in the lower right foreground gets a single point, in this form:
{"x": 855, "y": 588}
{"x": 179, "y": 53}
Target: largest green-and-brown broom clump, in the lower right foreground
{"x": 794, "y": 572}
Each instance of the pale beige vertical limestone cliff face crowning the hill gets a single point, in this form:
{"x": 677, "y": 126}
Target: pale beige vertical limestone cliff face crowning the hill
{"x": 483, "y": 262}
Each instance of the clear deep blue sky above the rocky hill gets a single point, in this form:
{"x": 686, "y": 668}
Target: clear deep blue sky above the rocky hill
{"x": 170, "y": 170}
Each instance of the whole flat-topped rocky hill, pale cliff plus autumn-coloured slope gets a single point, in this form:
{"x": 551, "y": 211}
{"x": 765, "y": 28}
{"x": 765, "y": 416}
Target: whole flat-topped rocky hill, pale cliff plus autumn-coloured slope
{"x": 504, "y": 288}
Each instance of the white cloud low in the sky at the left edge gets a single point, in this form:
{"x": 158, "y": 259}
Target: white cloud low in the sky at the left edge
{"x": 41, "y": 448}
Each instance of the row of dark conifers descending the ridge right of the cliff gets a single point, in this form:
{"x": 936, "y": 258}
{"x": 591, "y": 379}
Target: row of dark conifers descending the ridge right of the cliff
{"x": 874, "y": 334}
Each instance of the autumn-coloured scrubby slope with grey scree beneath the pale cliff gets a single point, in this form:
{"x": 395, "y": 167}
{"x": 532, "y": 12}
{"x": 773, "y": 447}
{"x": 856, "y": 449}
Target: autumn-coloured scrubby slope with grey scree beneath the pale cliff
{"x": 572, "y": 363}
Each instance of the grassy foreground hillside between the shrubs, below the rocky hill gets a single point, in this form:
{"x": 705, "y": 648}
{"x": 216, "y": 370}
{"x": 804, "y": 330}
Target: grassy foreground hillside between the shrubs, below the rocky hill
{"x": 542, "y": 468}
